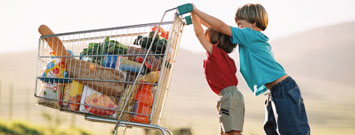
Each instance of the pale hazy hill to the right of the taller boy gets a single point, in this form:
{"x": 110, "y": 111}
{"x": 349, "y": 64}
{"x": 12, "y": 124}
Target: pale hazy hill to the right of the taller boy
{"x": 322, "y": 53}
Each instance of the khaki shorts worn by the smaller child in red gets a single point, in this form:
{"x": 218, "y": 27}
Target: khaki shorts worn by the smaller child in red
{"x": 231, "y": 109}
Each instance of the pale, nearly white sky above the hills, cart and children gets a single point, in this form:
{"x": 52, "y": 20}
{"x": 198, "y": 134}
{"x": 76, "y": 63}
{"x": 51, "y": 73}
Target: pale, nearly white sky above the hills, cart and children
{"x": 21, "y": 18}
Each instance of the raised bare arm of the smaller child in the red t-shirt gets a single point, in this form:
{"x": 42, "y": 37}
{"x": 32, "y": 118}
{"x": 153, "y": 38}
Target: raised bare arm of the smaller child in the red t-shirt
{"x": 200, "y": 33}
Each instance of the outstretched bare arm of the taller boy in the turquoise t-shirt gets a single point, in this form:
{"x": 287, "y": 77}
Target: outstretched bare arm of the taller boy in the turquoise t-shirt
{"x": 213, "y": 22}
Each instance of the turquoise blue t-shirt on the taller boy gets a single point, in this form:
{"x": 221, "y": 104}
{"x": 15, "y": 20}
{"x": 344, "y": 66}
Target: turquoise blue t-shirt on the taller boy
{"x": 257, "y": 63}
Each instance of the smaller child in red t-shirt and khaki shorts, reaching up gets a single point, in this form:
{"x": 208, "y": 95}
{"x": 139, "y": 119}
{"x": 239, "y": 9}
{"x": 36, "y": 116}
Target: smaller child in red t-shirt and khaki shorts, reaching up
{"x": 220, "y": 72}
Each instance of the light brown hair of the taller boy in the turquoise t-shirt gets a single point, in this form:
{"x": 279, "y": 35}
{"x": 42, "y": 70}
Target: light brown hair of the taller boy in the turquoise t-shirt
{"x": 253, "y": 13}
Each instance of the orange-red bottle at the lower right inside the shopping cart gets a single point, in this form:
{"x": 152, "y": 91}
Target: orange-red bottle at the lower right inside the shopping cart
{"x": 143, "y": 104}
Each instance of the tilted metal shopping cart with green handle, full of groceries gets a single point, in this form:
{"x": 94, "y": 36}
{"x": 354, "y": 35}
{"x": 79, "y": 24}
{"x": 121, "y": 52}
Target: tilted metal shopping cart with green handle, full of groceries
{"x": 116, "y": 75}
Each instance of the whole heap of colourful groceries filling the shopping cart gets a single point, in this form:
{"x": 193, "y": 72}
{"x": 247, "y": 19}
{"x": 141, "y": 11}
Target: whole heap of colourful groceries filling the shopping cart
{"x": 96, "y": 79}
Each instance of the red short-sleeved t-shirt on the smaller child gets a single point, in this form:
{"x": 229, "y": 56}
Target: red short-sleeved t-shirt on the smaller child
{"x": 220, "y": 70}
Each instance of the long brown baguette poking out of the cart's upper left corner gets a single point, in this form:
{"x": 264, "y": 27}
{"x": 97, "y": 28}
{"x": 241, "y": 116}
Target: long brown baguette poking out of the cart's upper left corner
{"x": 83, "y": 71}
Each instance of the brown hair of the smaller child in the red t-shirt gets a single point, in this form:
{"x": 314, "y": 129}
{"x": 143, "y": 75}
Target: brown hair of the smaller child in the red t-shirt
{"x": 221, "y": 40}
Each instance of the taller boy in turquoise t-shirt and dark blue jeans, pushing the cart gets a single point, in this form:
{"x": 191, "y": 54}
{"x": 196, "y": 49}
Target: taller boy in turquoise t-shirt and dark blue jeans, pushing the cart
{"x": 285, "y": 111}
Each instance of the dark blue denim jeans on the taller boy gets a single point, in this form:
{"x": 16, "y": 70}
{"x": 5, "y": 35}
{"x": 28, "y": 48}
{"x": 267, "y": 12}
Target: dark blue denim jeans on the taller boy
{"x": 285, "y": 111}
